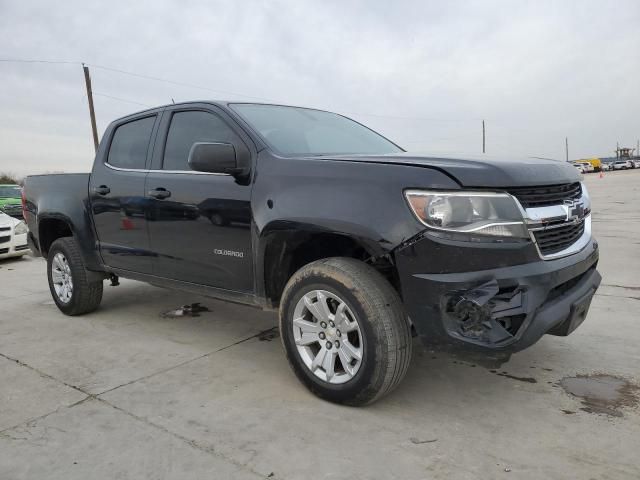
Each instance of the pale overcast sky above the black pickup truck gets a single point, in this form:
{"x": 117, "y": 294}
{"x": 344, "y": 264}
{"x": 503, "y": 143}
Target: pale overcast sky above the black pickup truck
{"x": 423, "y": 73}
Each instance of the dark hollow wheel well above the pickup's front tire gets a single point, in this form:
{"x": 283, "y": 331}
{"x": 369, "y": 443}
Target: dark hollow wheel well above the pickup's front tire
{"x": 285, "y": 256}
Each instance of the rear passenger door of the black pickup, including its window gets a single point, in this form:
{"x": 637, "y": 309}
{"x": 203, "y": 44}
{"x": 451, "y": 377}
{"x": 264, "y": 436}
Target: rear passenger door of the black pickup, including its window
{"x": 116, "y": 190}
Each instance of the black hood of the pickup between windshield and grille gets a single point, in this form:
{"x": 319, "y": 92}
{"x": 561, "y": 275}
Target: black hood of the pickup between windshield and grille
{"x": 481, "y": 170}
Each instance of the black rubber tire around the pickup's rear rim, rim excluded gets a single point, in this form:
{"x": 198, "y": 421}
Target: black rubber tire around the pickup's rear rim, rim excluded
{"x": 86, "y": 296}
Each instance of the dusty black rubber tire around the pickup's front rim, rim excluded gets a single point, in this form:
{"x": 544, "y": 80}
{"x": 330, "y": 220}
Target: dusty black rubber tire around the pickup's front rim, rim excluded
{"x": 383, "y": 324}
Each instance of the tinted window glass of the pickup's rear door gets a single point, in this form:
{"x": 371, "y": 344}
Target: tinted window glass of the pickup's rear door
{"x": 130, "y": 144}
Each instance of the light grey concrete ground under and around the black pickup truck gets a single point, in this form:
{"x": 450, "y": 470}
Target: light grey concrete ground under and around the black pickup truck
{"x": 125, "y": 393}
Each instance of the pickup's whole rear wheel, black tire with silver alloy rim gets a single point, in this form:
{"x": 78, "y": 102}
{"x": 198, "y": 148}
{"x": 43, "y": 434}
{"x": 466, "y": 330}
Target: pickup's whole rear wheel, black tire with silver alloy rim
{"x": 70, "y": 288}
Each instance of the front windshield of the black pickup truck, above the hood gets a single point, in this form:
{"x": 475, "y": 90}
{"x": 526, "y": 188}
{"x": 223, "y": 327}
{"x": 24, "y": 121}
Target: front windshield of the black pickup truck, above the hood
{"x": 294, "y": 131}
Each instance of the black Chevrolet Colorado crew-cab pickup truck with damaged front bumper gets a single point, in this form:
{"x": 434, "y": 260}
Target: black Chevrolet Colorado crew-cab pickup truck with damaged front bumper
{"x": 359, "y": 244}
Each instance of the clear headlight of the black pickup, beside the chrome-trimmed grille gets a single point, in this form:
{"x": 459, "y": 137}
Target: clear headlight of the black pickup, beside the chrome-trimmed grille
{"x": 478, "y": 213}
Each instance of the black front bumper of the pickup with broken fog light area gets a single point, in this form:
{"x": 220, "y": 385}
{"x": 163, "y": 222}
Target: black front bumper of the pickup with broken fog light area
{"x": 503, "y": 309}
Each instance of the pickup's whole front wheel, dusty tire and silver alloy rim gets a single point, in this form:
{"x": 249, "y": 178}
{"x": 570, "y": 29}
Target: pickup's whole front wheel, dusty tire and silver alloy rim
{"x": 344, "y": 330}
